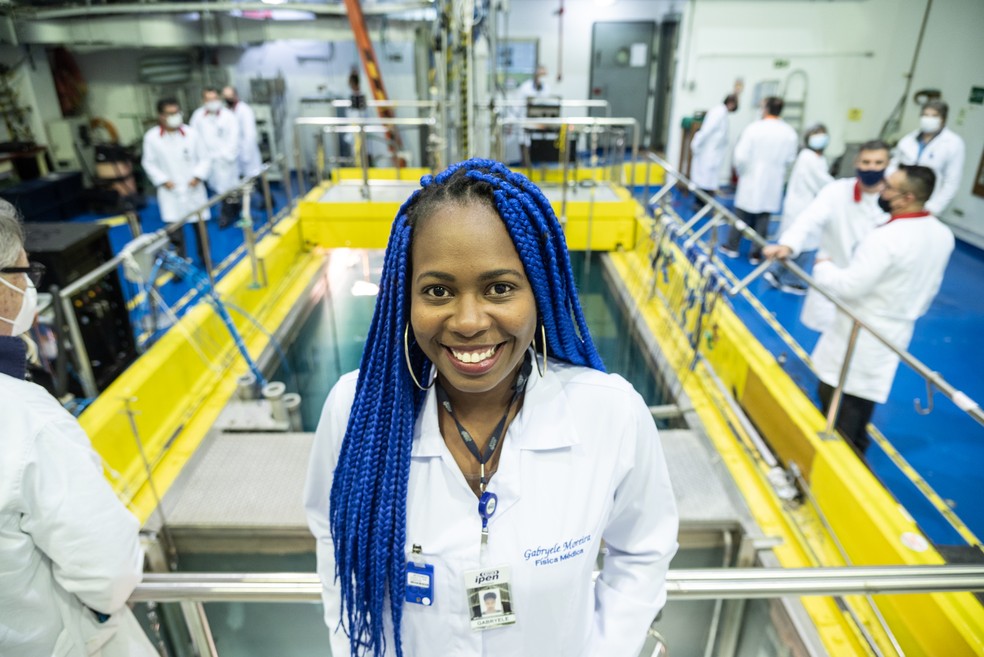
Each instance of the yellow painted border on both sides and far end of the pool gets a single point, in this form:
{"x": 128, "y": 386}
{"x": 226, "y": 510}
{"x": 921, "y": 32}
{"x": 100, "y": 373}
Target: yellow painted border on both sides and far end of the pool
{"x": 178, "y": 388}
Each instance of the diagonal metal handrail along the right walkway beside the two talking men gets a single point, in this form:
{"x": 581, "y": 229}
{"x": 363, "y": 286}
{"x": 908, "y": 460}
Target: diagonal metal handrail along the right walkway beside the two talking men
{"x": 960, "y": 399}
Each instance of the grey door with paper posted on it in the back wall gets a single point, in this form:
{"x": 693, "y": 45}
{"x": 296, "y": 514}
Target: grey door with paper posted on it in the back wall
{"x": 621, "y": 69}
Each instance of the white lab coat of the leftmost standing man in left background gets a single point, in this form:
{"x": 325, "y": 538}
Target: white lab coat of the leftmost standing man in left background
{"x": 176, "y": 156}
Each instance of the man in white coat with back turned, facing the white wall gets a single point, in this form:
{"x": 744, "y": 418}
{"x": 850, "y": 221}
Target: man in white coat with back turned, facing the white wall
{"x": 763, "y": 154}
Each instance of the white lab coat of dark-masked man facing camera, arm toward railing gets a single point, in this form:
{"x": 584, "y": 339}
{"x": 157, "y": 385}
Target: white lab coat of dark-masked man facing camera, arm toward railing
{"x": 837, "y": 220}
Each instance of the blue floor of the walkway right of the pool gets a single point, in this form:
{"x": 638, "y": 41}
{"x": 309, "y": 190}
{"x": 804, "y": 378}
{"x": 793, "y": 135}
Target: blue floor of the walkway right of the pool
{"x": 946, "y": 446}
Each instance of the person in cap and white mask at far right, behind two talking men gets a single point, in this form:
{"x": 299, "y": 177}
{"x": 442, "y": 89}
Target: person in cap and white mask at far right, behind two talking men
{"x": 937, "y": 147}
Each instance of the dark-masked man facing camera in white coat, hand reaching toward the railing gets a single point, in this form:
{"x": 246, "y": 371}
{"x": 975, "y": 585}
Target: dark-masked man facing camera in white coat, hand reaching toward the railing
{"x": 841, "y": 215}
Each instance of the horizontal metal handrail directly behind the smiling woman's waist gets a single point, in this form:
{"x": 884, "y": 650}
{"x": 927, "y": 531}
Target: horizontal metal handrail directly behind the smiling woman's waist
{"x": 682, "y": 584}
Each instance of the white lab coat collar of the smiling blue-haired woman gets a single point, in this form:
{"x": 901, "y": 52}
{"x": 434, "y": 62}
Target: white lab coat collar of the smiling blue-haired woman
{"x": 549, "y": 427}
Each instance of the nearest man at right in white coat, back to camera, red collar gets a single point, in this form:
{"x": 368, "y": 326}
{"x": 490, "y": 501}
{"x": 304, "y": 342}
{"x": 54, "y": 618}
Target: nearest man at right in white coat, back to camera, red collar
{"x": 889, "y": 283}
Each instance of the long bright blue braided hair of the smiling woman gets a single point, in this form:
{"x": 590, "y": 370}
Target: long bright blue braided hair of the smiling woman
{"x": 369, "y": 492}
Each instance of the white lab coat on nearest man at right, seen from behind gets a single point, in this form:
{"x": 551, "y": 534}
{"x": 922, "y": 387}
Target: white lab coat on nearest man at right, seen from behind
{"x": 889, "y": 283}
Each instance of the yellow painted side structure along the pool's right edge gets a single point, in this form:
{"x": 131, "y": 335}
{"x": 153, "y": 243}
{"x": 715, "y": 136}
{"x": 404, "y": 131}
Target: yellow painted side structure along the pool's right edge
{"x": 867, "y": 521}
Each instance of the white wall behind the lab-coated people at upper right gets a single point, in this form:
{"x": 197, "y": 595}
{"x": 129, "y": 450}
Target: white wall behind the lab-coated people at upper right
{"x": 856, "y": 55}
